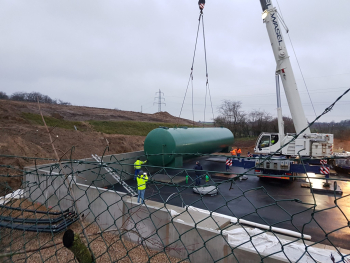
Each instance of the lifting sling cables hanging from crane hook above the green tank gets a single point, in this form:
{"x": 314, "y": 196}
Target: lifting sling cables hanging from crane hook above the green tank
{"x": 201, "y": 4}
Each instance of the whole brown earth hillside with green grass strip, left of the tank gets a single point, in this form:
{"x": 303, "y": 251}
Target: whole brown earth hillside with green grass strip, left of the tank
{"x": 22, "y": 132}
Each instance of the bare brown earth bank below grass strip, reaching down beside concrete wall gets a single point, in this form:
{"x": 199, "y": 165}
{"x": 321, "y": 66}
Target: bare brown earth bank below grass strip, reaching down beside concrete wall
{"x": 33, "y": 141}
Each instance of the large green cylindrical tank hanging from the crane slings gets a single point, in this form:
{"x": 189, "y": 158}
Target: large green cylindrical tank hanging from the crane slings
{"x": 184, "y": 140}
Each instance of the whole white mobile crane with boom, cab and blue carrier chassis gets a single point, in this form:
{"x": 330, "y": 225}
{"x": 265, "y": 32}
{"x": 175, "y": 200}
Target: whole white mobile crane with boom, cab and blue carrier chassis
{"x": 313, "y": 145}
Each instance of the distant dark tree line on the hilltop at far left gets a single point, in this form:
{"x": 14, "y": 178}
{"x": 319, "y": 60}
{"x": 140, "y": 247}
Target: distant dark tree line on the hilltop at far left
{"x": 31, "y": 97}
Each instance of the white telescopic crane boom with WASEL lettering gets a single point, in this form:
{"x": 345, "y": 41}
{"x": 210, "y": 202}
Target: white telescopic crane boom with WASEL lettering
{"x": 283, "y": 66}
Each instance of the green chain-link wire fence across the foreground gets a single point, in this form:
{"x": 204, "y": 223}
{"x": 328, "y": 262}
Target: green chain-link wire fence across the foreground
{"x": 238, "y": 220}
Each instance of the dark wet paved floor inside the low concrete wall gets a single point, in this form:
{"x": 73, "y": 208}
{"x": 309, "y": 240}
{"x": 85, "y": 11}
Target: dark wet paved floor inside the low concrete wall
{"x": 254, "y": 200}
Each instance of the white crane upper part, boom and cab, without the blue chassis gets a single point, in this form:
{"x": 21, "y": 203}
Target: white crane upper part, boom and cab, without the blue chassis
{"x": 314, "y": 145}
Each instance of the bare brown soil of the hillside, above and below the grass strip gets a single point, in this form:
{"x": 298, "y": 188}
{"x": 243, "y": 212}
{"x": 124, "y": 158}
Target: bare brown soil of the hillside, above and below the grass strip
{"x": 20, "y": 138}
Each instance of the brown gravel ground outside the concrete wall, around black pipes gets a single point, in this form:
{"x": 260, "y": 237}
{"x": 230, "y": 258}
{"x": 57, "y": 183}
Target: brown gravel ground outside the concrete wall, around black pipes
{"x": 107, "y": 247}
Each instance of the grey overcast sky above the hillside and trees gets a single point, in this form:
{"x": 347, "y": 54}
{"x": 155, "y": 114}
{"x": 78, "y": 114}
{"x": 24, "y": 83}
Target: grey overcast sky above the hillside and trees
{"x": 118, "y": 54}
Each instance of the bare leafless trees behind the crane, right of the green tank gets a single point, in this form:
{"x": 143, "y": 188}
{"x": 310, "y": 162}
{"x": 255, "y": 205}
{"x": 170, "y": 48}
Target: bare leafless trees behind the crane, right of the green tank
{"x": 251, "y": 124}
